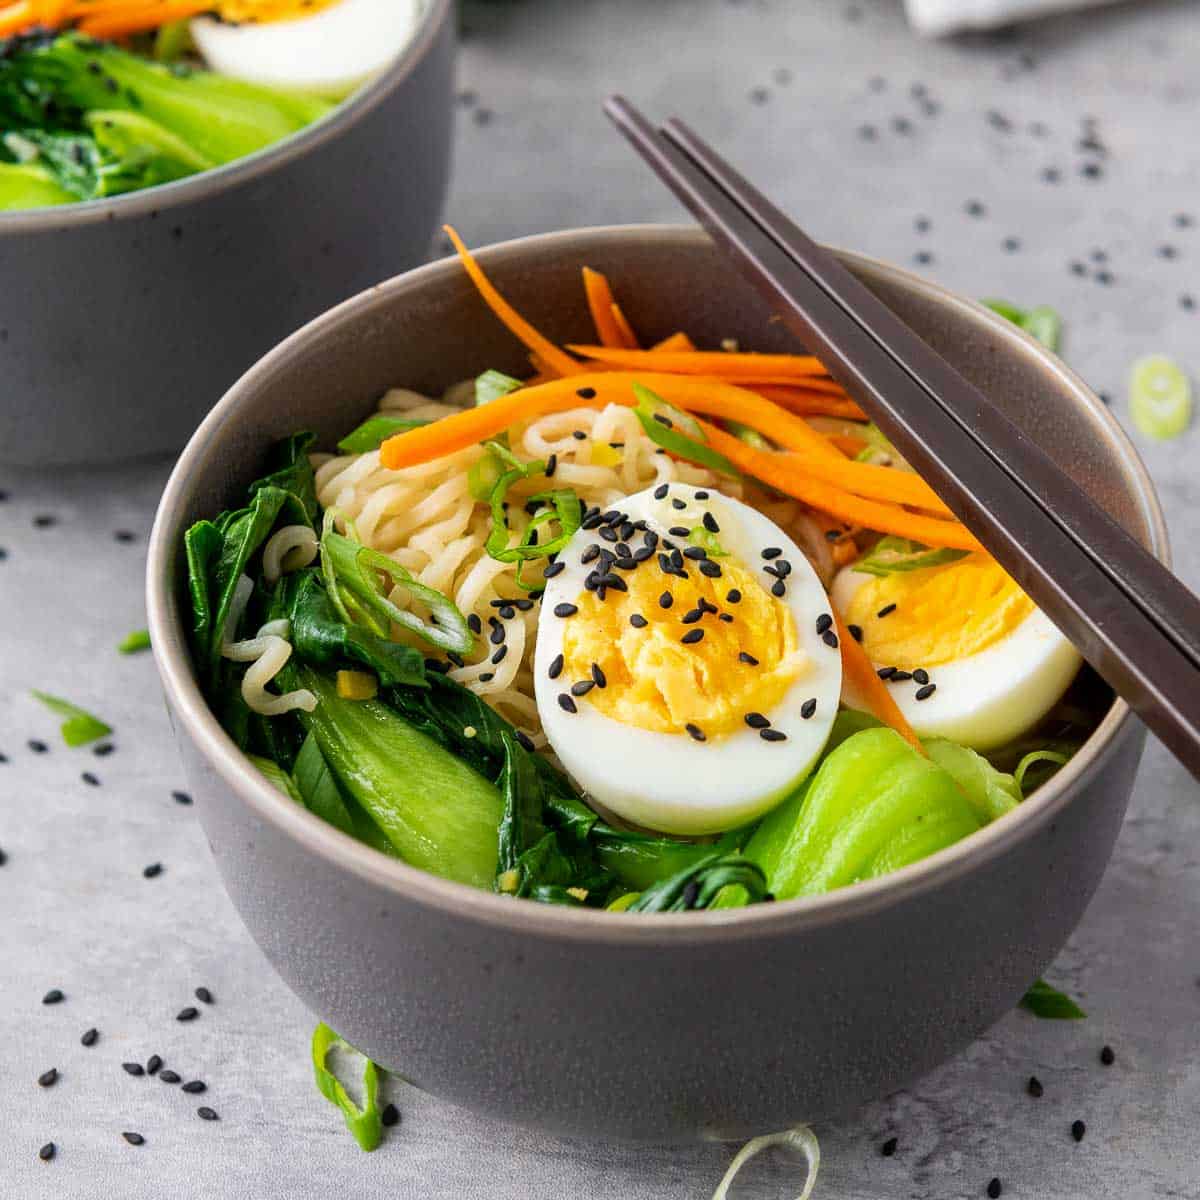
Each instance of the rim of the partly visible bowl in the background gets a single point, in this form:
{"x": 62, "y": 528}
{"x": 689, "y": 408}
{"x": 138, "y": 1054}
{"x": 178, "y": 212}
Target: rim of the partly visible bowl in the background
{"x": 163, "y": 197}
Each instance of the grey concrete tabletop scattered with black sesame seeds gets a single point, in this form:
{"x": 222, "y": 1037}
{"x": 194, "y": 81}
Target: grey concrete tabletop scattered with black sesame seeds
{"x": 785, "y": 91}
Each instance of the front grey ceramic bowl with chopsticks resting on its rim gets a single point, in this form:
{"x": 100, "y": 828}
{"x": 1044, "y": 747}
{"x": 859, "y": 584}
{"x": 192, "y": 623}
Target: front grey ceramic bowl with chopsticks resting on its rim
{"x": 703, "y": 1025}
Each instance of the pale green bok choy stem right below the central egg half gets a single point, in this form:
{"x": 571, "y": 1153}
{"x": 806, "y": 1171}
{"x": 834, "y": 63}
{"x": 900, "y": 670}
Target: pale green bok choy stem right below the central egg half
{"x": 873, "y": 807}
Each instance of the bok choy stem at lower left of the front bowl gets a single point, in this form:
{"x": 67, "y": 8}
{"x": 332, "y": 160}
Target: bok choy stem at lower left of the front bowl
{"x": 437, "y": 812}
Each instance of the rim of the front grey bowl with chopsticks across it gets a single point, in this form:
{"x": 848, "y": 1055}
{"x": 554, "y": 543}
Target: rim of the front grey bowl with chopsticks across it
{"x": 556, "y": 922}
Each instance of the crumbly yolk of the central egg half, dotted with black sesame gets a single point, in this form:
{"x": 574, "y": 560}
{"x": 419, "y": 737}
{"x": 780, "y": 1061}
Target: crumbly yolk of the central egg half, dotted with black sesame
{"x": 655, "y": 681}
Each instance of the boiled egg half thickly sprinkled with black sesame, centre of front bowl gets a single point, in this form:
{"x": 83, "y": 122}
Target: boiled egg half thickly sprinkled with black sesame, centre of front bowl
{"x": 685, "y": 673}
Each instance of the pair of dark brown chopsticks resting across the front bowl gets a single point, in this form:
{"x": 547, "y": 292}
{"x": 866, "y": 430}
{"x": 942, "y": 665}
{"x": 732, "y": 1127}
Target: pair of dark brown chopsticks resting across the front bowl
{"x": 1130, "y": 617}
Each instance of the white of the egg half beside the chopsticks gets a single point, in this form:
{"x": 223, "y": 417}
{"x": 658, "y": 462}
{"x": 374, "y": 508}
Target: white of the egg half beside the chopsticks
{"x": 983, "y": 700}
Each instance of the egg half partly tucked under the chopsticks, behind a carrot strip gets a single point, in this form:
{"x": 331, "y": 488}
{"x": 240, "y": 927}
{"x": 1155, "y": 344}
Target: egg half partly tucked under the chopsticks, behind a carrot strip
{"x": 965, "y": 653}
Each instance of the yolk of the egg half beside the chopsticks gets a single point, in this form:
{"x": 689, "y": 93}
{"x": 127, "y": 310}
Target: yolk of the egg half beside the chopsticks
{"x": 939, "y": 614}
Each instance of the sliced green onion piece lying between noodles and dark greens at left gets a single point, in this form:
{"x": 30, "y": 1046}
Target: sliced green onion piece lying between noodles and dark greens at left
{"x": 357, "y": 577}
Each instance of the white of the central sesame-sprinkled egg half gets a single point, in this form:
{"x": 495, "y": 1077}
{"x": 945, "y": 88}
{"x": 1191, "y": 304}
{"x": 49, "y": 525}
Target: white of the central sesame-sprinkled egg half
{"x": 668, "y": 782}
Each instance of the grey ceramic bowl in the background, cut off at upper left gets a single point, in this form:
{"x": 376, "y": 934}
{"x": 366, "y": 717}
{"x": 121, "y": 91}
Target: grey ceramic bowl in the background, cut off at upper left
{"x": 122, "y": 321}
